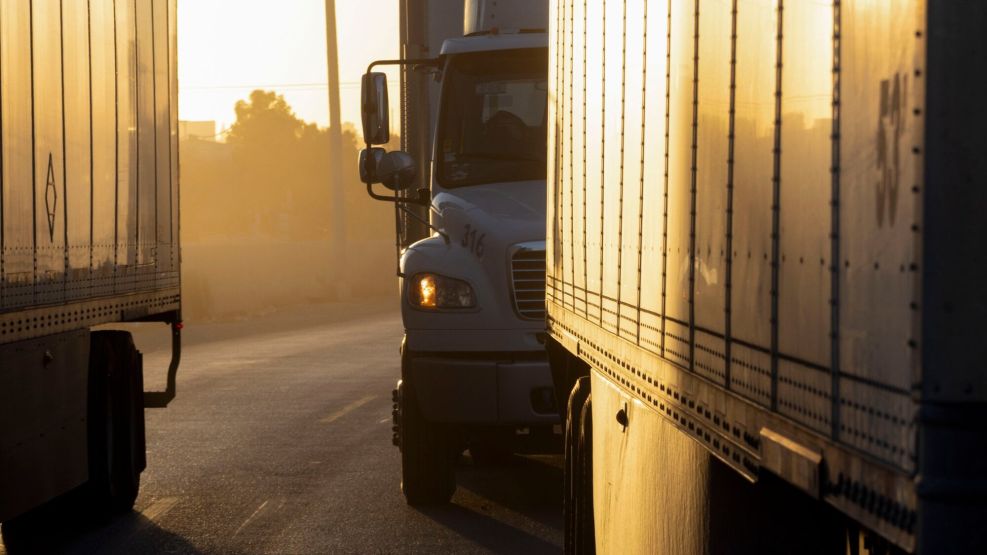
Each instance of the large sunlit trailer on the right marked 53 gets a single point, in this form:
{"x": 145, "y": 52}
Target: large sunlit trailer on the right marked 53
{"x": 765, "y": 274}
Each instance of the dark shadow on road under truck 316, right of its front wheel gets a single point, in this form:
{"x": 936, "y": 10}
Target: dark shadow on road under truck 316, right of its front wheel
{"x": 529, "y": 488}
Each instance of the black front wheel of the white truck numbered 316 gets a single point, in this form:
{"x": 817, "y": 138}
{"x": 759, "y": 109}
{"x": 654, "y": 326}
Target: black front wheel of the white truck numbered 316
{"x": 427, "y": 458}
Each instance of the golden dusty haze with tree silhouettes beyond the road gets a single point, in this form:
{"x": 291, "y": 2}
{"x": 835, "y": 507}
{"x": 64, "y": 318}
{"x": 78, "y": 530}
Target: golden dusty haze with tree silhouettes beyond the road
{"x": 257, "y": 209}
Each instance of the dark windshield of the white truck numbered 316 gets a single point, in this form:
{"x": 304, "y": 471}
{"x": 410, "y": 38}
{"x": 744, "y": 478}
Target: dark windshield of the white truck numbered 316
{"x": 492, "y": 127}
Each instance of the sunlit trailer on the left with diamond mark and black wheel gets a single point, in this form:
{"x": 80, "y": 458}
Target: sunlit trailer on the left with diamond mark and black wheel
{"x": 89, "y": 237}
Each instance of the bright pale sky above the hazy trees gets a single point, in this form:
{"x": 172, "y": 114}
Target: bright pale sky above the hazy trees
{"x": 227, "y": 48}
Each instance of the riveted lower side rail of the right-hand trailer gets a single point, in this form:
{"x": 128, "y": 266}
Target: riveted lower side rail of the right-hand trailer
{"x": 747, "y": 437}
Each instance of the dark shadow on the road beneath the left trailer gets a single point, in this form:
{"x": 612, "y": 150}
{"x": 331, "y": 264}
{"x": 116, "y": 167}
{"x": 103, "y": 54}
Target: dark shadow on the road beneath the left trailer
{"x": 62, "y": 525}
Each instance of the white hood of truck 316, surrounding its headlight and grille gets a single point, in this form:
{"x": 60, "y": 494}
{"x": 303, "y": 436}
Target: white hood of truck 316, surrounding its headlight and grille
{"x": 485, "y": 223}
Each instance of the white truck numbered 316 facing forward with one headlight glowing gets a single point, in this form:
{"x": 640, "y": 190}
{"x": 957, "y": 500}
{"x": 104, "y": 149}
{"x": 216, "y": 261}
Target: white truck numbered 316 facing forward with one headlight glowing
{"x": 474, "y": 372}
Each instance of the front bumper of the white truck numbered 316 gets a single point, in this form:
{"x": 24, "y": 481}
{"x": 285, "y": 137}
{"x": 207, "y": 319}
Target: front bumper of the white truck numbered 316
{"x": 472, "y": 388}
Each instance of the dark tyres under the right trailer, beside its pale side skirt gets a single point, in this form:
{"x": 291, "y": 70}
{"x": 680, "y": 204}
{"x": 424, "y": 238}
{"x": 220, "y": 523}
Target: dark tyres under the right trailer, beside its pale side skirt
{"x": 580, "y": 536}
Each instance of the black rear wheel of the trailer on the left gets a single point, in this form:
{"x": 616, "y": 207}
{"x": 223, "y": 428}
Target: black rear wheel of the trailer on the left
{"x": 116, "y": 422}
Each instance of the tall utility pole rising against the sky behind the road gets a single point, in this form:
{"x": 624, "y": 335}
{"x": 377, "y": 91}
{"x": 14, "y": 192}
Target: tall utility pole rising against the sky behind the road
{"x": 337, "y": 244}
